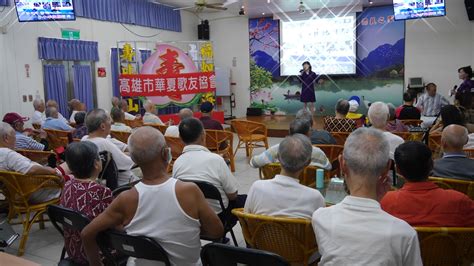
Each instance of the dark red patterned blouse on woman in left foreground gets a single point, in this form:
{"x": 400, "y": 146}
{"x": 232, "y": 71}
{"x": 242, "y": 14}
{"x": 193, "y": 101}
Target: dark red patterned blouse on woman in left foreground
{"x": 88, "y": 198}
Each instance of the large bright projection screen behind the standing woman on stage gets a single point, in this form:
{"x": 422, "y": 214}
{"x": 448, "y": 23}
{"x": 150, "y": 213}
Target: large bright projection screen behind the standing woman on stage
{"x": 328, "y": 43}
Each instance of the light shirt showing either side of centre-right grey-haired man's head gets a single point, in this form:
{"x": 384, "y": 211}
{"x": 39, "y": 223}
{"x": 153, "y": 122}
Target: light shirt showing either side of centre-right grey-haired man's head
{"x": 318, "y": 158}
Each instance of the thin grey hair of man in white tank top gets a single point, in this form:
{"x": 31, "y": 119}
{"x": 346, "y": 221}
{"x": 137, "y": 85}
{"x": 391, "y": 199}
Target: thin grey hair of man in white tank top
{"x": 146, "y": 145}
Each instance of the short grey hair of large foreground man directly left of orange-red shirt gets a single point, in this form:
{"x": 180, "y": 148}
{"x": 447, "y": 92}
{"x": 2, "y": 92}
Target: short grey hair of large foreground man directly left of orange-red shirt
{"x": 366, "y": 152}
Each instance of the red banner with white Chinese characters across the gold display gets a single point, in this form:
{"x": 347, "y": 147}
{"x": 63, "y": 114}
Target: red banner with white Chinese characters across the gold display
{"x": 167, "y": 85}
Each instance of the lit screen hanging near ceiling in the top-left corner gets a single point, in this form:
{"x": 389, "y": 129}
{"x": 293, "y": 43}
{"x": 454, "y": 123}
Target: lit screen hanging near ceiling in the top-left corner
{"x": 35, "y": 10}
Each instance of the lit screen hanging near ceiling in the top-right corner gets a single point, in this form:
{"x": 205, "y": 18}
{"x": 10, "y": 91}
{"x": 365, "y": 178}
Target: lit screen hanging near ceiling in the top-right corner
{"x": 409, "y": 9}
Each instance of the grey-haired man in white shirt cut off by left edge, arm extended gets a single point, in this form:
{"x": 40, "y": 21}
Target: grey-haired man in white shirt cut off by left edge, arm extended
{"x": 10, "y": 160}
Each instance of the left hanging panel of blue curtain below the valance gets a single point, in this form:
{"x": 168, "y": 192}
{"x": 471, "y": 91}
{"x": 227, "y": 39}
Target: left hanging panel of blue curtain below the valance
{"x": 56, "y": 89}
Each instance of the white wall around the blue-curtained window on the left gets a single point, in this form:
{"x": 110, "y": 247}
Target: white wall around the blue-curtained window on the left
{"x": 19, "y": 47}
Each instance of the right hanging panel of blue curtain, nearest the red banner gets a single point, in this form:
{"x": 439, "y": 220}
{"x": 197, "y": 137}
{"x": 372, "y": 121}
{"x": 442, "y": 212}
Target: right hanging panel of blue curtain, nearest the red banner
{"x": 83, "y": 85}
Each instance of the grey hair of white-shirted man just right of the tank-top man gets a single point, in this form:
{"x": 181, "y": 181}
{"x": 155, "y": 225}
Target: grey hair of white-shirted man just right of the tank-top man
{"x": 294, "y": 153}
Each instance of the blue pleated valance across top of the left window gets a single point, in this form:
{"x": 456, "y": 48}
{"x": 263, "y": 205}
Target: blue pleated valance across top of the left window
{"x": 67, "y": 50}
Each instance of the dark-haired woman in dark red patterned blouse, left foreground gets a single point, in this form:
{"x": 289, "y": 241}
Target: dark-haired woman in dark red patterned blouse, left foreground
{"x": 82, "y": 193}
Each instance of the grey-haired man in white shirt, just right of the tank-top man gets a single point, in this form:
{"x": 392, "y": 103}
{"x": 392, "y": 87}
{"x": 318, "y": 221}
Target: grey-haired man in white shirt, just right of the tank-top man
{"x": 284, "y": 195}
